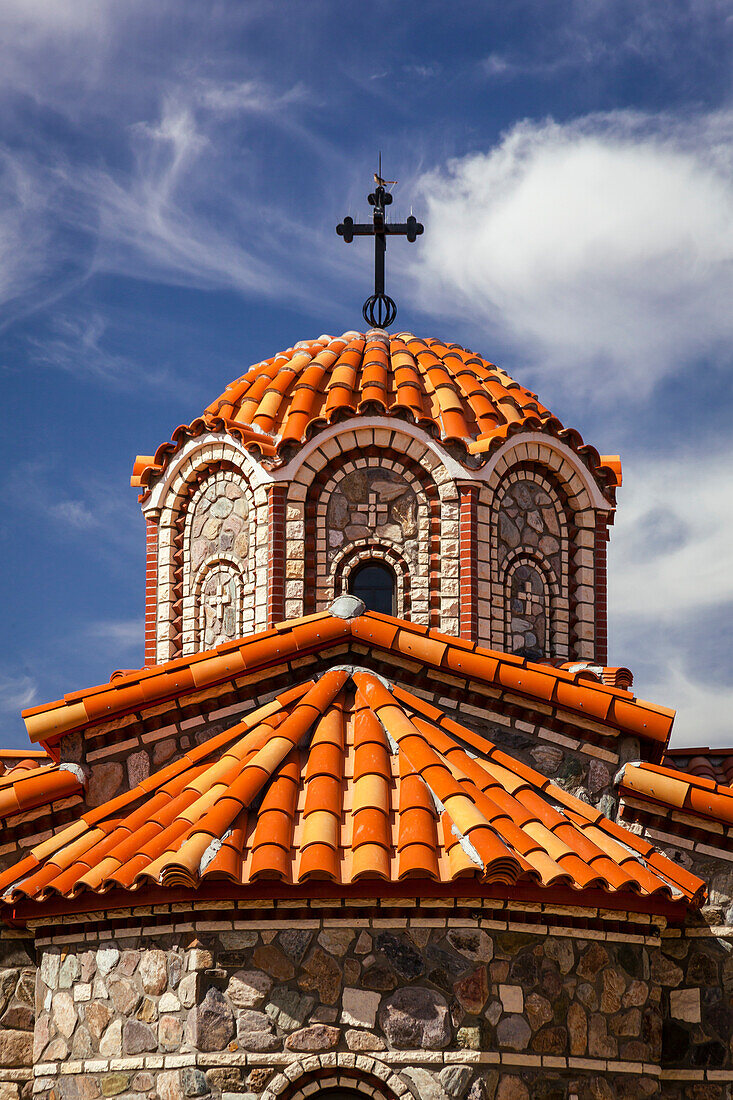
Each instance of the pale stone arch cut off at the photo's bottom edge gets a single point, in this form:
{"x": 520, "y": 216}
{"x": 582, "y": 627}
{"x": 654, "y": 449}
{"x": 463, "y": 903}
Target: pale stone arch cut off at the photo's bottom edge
{"x": 366, "y": 1076}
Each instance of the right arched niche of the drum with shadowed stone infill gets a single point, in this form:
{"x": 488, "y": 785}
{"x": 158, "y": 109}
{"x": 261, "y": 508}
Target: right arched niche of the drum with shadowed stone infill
{"x": 530, "y": 564}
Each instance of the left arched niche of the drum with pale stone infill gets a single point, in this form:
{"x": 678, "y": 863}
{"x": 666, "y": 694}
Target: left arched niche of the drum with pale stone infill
{"x": 193, "y": 535}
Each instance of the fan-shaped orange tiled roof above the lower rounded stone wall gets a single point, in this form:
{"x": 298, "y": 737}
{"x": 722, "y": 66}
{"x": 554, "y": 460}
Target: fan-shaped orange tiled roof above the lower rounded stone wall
{"x": 344, "y": 779}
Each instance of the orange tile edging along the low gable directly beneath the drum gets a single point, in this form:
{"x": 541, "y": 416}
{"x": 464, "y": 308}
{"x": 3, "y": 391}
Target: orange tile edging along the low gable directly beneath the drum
{"x": 571, "y": 691}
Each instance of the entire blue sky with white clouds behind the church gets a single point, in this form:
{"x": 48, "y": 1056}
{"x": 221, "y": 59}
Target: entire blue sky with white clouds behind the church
{"x": 171, "y": 177}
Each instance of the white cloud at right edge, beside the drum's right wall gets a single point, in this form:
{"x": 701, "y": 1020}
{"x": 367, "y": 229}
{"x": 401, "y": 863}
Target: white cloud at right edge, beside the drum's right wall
{"x": 670, "y": 585}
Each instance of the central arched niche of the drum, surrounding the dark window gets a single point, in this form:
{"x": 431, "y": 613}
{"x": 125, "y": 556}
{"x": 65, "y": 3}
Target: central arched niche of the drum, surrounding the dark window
{"x": 391, "y": 498}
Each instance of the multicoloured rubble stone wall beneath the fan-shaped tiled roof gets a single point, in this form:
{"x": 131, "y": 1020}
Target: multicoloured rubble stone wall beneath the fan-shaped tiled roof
{"x": 437, "y": 1007}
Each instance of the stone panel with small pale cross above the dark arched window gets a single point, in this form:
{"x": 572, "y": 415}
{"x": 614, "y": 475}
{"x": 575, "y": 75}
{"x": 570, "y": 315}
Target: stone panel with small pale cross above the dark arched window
{"x": 371, "y": 504}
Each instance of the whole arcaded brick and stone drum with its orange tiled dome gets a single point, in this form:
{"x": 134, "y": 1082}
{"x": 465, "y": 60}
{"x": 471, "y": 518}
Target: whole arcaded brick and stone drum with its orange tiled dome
{"x": 413, "y": 455}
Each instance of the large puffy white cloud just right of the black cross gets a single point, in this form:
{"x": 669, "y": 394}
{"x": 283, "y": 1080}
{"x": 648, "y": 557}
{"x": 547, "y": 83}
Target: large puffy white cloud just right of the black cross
{"x": 600, "y": 249}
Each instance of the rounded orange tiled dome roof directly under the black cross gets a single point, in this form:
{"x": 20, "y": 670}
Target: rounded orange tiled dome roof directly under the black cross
{"x": 448, "y": 391}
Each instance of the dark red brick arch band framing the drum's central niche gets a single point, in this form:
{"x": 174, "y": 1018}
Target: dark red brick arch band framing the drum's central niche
{"x": 415, "y": 475}
